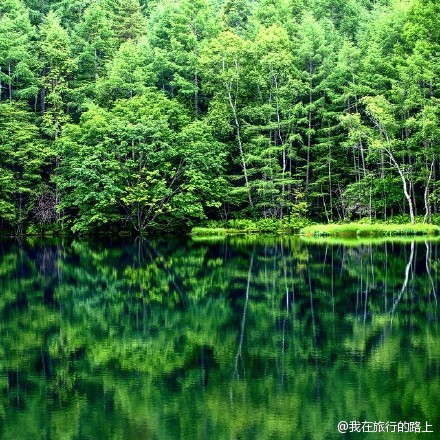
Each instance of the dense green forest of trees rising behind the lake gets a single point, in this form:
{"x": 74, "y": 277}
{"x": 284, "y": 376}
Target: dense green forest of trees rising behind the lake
{"x": 161, "y": 115}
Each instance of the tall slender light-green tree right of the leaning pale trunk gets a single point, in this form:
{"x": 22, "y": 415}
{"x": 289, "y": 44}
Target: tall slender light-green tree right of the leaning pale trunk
{"x": 270, "y": 121}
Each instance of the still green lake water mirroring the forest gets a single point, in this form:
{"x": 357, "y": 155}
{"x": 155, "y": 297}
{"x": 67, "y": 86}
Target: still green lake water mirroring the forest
{"x": 260, "y": 338}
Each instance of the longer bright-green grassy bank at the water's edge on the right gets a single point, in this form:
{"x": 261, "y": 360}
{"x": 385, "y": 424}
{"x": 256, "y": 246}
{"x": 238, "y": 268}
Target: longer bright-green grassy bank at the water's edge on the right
{"x": 369, "y": 230}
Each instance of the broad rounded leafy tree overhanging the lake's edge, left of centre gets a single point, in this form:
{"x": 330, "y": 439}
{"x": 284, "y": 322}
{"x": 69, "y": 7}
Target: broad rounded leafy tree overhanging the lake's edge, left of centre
{"x": 141, "y": 162}
